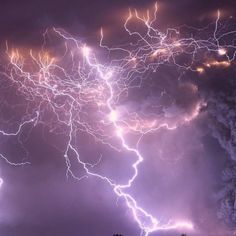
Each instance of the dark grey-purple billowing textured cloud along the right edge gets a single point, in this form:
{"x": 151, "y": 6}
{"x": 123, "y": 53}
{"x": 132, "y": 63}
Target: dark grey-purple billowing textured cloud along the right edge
{"x": 221, "y": 112}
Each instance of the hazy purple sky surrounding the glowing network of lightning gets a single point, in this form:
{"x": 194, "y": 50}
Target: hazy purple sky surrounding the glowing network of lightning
{"x": 181, "y": 177}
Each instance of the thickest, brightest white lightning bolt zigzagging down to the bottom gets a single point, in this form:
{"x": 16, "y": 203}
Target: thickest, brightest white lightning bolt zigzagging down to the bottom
{"x": 146, "y": 221}
